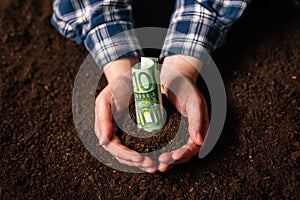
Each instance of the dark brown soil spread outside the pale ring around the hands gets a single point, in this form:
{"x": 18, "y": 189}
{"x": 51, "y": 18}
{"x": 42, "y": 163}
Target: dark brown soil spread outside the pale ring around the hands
{"x": 257, "y": 156}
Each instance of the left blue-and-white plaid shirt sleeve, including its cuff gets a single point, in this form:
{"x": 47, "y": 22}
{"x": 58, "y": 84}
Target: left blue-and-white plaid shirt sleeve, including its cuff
{"x": 104, "y": 26}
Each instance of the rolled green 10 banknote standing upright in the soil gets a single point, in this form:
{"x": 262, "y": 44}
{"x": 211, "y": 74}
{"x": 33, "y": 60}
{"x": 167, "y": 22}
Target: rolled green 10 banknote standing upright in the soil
{"x": 147, "y": 94}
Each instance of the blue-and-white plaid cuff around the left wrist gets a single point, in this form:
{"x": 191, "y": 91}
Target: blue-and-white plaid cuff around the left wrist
{"x": 111, "y": 41}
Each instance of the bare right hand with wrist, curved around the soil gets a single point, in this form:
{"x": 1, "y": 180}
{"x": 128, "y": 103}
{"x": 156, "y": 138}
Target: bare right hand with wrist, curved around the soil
{"x": 178, "y": 78}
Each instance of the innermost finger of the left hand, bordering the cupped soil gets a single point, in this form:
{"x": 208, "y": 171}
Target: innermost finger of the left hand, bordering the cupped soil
{"x": 117, "y": 149}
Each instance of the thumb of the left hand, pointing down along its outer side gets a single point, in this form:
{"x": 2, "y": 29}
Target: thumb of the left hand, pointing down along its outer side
{"x": 104, "y": 117}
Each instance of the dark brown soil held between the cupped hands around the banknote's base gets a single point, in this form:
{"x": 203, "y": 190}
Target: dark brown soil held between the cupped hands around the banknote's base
{"x": 153, "y": 141}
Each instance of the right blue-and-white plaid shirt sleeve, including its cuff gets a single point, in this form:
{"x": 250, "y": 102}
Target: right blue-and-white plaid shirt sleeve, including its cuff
{"x": 198, "y": 27}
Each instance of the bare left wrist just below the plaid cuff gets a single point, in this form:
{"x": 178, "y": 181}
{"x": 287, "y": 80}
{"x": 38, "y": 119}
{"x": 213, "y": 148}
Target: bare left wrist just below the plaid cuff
{"x": 119, "y": 68}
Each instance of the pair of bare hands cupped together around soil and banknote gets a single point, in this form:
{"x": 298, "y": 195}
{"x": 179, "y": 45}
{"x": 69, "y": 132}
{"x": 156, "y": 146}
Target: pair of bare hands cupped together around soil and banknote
{"x": 178, "y": 77}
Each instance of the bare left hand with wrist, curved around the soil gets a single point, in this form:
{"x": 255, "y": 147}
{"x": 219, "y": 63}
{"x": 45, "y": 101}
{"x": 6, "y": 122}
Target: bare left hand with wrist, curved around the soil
{"x": 112, "y": 100}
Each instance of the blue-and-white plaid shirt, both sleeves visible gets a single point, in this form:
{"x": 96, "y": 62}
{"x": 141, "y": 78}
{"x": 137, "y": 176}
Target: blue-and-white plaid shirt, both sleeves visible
{"x": 195, "y": 25}
